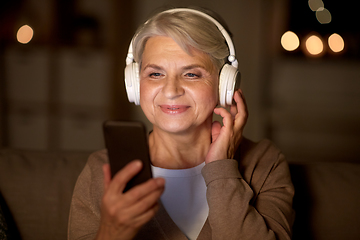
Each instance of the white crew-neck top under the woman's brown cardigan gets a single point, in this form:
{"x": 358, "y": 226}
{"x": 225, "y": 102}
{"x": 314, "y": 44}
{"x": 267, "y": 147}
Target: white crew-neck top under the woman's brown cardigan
{"x": 184, "y": 198}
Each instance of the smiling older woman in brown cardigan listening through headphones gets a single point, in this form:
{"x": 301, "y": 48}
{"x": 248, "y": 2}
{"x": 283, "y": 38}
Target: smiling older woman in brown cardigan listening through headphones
{"x": 209, "y": 181}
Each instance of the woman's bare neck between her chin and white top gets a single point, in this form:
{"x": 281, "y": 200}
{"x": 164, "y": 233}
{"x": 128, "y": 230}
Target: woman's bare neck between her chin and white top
{"x": 179, "y": 151}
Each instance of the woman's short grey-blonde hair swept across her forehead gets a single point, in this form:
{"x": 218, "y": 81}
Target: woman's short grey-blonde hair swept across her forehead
{"x": 187, "y": 29}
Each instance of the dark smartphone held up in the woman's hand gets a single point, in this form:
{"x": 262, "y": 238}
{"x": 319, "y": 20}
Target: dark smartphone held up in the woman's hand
{"x": 126, "y": 141}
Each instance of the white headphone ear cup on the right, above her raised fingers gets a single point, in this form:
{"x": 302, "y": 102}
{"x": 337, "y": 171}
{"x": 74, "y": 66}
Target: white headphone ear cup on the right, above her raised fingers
{"x": 229, "y": 78}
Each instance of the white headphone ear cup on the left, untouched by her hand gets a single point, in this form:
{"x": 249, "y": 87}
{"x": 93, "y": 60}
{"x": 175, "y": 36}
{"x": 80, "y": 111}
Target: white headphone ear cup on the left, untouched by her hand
{"x": 132, "y": 82}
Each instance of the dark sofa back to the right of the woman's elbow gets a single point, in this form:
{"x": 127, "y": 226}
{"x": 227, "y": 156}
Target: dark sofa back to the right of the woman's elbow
{"x": 326, "y": 201}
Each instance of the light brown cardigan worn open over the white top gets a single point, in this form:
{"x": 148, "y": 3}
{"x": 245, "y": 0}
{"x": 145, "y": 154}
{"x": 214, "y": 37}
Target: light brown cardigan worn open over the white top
{"x": 249, "y": 198}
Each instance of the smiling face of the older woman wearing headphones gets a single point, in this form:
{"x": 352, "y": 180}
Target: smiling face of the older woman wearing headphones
{"x": 178, "y": 92}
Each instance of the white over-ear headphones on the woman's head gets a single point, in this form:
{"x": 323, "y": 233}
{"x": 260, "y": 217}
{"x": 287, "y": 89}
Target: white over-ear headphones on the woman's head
{"x": 229, "y": 74}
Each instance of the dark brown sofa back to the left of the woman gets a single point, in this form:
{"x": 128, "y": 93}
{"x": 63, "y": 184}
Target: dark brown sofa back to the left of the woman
{"x": 37, "y": 189}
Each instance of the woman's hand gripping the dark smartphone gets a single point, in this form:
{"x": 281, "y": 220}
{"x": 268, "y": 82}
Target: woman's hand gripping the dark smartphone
{"x": 123, "y": 214}
